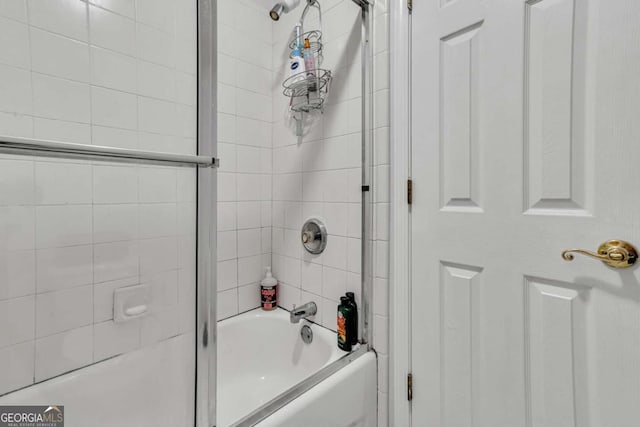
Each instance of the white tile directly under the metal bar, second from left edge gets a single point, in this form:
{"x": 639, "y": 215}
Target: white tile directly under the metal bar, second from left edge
{"x": 63, "y": 183}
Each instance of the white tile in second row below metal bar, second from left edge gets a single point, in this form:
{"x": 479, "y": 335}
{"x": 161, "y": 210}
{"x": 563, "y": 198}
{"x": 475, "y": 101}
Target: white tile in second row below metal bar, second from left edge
{"x": 59, "y": 226}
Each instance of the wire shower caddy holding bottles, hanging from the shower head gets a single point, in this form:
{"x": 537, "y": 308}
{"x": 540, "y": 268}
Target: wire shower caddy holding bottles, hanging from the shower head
{"x": 308, "y": 90}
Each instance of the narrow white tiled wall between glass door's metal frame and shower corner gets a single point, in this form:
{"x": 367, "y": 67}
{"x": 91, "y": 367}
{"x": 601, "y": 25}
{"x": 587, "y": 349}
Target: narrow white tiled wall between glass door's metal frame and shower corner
{"x": 245, "y": 150}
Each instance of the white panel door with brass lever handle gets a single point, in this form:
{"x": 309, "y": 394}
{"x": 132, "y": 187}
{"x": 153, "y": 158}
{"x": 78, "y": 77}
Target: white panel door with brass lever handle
{"x": 525, "y": 142}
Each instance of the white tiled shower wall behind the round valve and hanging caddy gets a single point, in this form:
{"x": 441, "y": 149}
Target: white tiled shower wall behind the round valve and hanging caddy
{"x": 320, "y": 173}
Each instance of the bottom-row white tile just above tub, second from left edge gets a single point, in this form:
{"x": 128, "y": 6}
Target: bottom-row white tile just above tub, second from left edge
{"x": 64, "y": 352}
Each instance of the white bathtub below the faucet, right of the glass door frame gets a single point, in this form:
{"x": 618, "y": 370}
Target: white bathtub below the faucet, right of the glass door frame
{"x": 268, "y": 376}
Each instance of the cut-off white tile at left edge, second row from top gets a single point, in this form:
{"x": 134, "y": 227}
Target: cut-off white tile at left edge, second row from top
{"x": 14, "y": 41}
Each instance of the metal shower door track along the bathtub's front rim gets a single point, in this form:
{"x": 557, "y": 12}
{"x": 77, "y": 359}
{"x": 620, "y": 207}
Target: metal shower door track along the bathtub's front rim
{"x": 297, "y": 390}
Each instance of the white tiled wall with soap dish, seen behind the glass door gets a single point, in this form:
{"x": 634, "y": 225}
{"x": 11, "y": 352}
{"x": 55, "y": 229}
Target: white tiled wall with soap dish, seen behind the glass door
{"x": 107, "y": 73}
